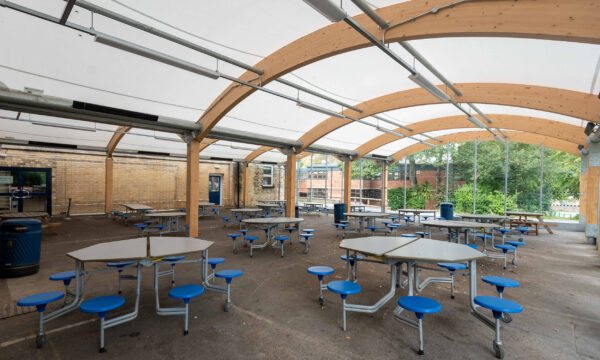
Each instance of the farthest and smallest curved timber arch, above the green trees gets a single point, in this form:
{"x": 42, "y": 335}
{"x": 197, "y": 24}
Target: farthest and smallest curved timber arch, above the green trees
{"x": 514, "y": 136}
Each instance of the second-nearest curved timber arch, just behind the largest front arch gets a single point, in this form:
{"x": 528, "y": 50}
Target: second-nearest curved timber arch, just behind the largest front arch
{"x": 565, "y": 102}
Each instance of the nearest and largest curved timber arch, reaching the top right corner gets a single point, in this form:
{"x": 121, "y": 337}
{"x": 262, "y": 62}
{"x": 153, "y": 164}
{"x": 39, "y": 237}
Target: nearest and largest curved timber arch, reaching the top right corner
{"x": 575, "y": 21}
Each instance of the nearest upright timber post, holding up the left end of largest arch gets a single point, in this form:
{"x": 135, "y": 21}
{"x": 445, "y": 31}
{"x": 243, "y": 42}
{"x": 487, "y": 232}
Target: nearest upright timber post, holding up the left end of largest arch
{"x": 192, "y": 187}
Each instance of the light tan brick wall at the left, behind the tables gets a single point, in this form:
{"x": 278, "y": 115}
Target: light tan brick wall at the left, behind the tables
{"x": 159, "y": 183}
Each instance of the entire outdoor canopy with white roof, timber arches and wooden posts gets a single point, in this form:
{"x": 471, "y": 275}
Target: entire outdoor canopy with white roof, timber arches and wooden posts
{"x": 241, "y": 80}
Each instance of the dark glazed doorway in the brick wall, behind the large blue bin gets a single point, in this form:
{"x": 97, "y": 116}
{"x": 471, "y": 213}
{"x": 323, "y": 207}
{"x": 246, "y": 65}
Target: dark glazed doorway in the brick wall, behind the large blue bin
{"x": 25, "y": 189}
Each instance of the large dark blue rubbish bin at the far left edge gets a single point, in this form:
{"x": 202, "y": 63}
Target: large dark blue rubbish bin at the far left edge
{"x": 20, "y": 247}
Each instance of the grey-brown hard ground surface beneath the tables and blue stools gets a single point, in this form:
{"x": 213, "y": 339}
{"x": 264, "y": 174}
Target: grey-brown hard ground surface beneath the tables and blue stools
{"x": 275, "y": 314}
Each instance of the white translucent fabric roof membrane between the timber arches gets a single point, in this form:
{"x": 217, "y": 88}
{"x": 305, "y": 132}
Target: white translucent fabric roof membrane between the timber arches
{"x": 69, "y": 64}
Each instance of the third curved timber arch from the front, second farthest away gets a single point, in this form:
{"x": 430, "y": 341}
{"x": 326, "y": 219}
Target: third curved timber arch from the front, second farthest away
{"x": 548, "y": 128}
